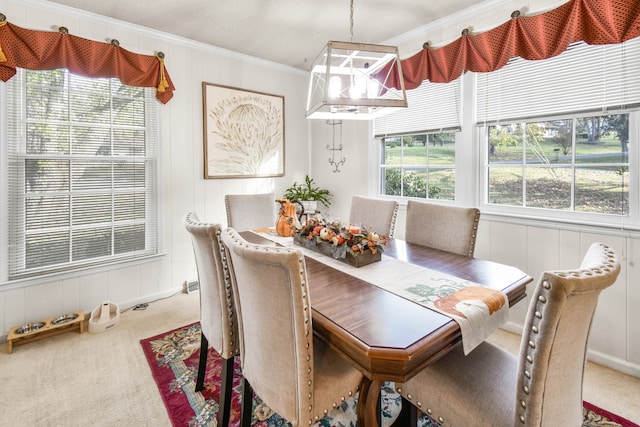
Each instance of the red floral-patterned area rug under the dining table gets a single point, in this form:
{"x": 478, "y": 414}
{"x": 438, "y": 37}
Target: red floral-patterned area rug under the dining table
{"x": 173, "y": 359}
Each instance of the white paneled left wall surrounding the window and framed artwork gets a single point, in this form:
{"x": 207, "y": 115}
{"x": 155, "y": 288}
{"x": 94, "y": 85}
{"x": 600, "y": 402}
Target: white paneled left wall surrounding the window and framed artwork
{"x": 183, "y": 188}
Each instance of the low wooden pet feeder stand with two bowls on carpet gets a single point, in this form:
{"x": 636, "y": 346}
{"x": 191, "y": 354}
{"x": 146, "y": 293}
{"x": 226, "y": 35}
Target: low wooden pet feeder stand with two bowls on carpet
{"x": 34, "y": 331}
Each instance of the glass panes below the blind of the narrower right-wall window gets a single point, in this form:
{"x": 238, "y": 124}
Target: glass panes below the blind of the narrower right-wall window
{"x": 420, "y": 166}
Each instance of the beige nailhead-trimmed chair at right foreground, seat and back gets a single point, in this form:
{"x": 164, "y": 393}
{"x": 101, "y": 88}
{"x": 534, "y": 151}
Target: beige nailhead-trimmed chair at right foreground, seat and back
{"x": 541, "y": 387}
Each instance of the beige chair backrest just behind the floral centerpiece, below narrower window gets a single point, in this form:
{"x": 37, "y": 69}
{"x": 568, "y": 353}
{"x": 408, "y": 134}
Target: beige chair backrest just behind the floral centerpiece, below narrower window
{"x": 379, "y": 214}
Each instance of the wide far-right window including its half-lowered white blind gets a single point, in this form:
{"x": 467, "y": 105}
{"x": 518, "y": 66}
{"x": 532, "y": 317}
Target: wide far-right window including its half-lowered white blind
{"x": 560, "y": 135}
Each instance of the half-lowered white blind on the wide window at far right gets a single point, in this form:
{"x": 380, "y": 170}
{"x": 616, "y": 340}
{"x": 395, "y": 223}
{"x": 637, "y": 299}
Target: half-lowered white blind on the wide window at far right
{"x": 584, "y": 78}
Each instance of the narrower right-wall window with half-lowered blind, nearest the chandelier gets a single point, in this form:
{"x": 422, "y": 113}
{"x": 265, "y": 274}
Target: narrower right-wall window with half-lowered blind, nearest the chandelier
{"x": 418, "y": 144}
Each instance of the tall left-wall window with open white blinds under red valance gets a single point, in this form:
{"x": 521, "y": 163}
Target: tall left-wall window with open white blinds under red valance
{"x": 81, "y": 172}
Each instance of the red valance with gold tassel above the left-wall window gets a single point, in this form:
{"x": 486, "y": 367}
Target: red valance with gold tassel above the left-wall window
{"x": 46, "y": 50}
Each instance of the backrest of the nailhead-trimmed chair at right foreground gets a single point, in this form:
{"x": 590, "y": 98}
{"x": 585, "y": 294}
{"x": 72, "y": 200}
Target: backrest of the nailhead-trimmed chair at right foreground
{"x": 554, "y": 340}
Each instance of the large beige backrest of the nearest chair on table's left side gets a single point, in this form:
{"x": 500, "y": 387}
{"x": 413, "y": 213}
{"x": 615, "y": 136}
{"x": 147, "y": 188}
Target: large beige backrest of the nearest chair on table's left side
{"x": 274, "y": 311}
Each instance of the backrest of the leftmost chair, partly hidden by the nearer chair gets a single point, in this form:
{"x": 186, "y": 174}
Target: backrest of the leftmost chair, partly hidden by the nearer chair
{"x": 218, "y": 318}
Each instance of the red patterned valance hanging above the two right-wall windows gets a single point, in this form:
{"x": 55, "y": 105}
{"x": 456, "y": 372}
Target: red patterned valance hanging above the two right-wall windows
{"x": 530, "y": 37}
